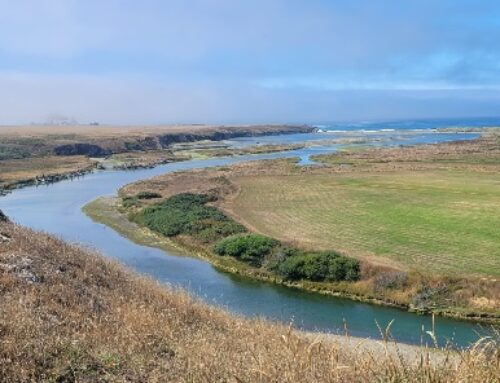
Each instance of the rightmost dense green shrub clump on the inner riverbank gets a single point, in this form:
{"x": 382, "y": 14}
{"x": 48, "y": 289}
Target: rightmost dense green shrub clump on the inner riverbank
{"x": 324, "y": 266}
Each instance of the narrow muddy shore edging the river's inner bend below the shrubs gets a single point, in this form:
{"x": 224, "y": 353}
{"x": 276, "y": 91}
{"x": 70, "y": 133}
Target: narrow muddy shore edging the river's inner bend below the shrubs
{"x": 105, "y": 211}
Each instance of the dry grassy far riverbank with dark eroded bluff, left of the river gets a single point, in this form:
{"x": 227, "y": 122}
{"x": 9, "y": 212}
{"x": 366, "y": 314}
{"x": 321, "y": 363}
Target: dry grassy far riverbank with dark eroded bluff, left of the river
{"x": 31, "y": 155}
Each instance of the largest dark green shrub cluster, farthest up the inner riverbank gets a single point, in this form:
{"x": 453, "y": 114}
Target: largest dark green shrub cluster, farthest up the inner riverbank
{"x": 188, "y": 213}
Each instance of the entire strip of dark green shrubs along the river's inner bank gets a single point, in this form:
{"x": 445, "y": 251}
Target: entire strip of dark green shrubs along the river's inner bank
{"x": 188, "y": 214}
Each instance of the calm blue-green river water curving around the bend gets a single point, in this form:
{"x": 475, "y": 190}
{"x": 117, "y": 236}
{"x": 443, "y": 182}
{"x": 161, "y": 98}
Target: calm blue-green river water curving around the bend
{"x": 57, "y": 209}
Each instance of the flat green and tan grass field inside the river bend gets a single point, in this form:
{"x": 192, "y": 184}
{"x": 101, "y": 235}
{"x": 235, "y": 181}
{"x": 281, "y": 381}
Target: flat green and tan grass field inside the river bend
{"x": 442, "y": 221}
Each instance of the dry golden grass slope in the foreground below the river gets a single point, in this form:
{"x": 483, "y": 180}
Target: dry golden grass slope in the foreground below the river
{"x": 69, "y": 315}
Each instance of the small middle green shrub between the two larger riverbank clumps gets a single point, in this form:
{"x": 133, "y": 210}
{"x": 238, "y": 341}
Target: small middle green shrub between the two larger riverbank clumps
{"x": 250, "y": 248}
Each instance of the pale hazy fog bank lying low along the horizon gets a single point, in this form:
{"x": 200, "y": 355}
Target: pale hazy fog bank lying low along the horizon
{"x": 126, "y": 100}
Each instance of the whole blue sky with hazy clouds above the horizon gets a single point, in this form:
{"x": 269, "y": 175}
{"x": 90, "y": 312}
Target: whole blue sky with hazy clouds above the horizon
{"x": 253, "y": 61}
